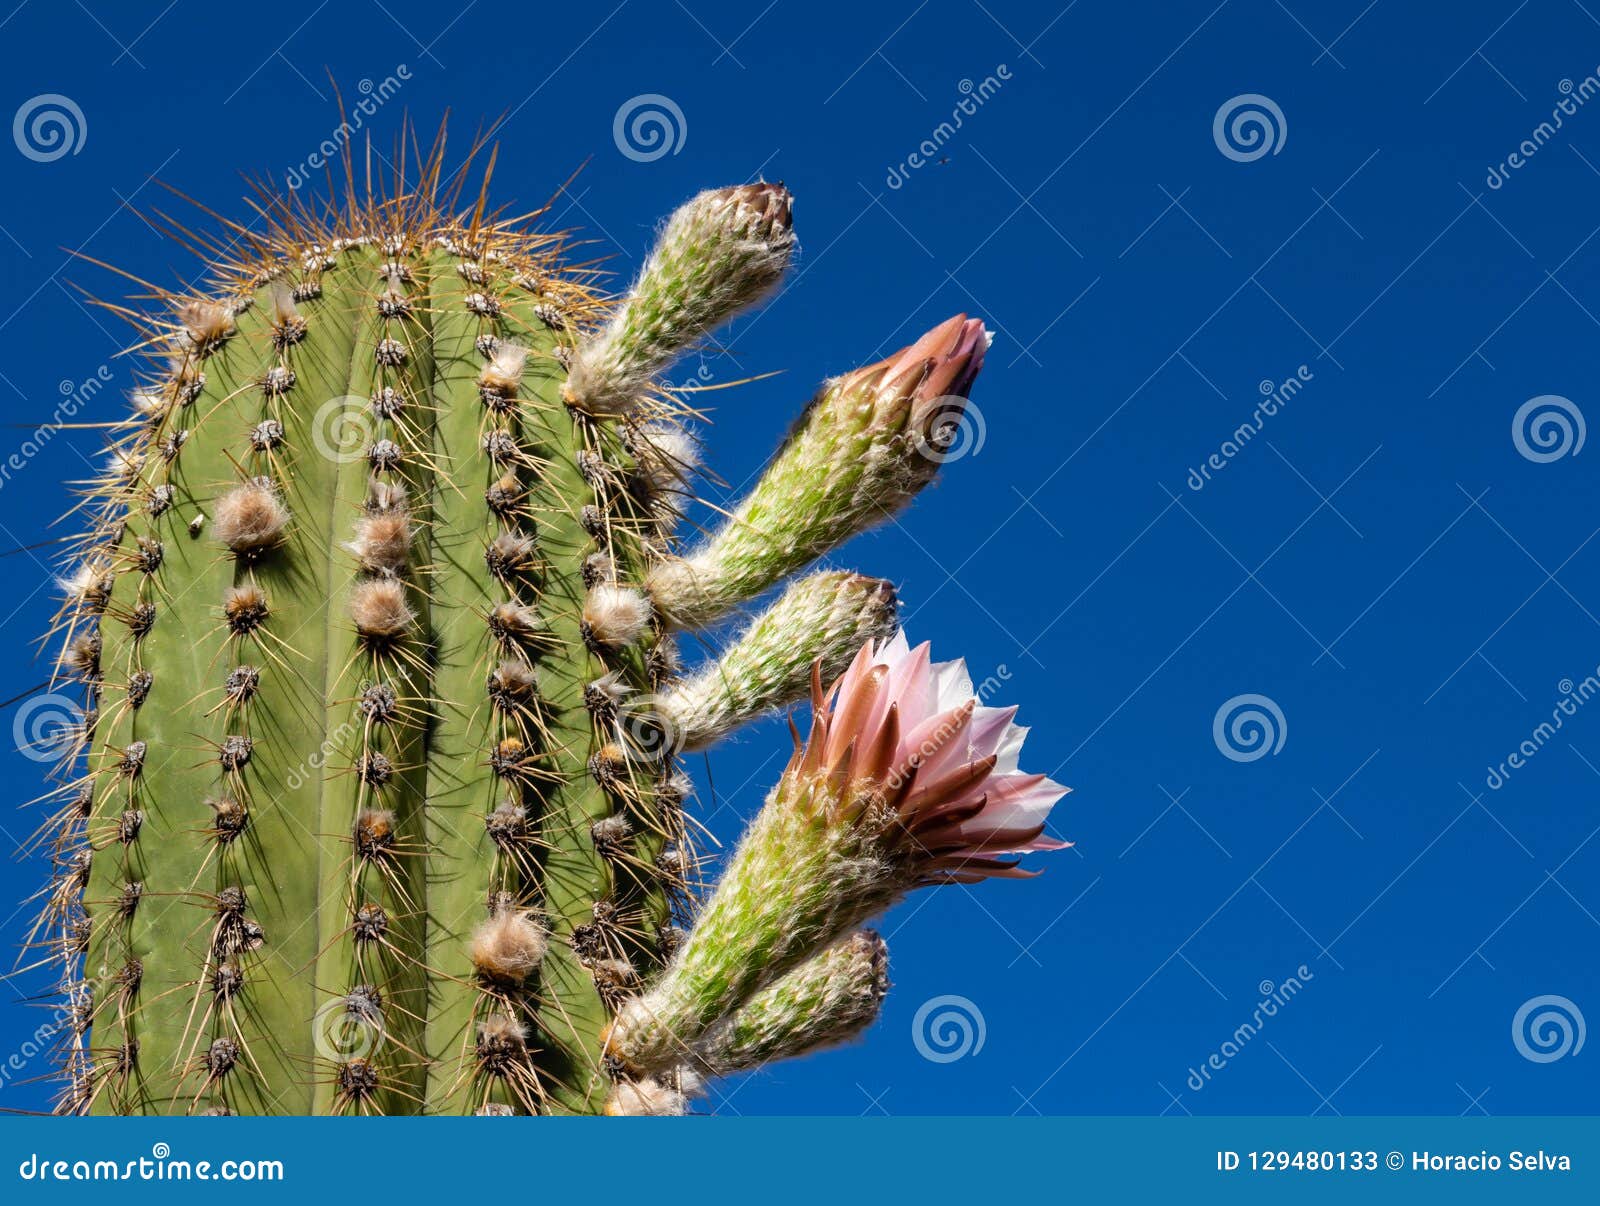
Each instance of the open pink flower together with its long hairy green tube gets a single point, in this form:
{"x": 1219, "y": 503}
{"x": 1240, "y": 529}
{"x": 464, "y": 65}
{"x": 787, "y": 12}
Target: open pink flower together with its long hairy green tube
{"x": 905, "y": 781}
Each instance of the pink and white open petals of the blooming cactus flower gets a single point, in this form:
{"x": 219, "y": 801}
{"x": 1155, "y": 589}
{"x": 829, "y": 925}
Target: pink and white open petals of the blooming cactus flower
{"x": 910, "y": 732}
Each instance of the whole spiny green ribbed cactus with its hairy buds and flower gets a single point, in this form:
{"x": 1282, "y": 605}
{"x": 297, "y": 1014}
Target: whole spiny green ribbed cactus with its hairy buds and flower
{"x": 375, "y": 807}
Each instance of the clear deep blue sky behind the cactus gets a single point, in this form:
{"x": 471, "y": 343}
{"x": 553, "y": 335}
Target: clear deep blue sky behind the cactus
{"x": 1406, "y": 572}
